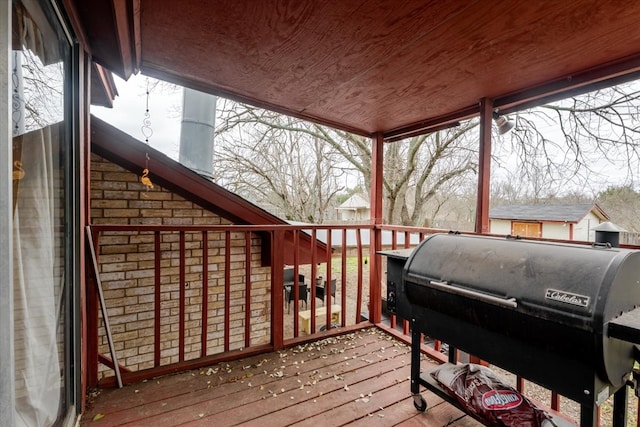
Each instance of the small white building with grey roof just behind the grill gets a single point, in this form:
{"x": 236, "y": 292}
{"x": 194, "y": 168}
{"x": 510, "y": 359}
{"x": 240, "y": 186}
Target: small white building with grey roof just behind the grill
{"x": 553, "y": 221}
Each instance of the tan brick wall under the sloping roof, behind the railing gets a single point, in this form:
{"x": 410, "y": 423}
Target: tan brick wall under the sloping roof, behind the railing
{"x": 126, "y": 262}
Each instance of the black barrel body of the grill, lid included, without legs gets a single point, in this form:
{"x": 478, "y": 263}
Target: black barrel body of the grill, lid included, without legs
{"x": 540, "y": 310}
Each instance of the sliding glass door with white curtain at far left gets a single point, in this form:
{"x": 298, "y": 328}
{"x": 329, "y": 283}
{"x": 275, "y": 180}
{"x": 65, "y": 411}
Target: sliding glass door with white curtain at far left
{"x": 42, "y": 206}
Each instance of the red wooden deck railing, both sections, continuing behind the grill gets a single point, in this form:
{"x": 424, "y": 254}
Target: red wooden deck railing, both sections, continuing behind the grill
{"x": 338, "y": 251}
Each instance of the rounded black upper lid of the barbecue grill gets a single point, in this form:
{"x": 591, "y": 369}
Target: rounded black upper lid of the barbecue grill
{"x": 579, "y": 285}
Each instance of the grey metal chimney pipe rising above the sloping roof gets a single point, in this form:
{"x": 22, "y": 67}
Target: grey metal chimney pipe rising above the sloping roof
{"x": 197, "y": 131}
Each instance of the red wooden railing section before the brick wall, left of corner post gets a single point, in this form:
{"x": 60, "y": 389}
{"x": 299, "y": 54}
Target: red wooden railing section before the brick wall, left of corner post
{"x": 170, "y": 259}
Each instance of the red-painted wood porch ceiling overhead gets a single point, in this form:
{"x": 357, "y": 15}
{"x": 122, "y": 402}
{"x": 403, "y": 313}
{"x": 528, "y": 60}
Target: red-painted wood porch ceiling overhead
{"x": 371, "y": 66}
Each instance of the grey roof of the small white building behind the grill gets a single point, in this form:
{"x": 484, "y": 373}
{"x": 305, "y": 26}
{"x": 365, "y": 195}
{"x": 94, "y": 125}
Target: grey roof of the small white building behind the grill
{"x": 544, "y": 212}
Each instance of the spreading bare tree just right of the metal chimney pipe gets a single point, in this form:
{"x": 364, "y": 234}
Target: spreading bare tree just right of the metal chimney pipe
{"x": 278, "y": 162}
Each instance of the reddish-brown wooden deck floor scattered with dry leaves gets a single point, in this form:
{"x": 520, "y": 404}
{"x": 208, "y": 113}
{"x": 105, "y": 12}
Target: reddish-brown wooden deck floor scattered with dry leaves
{"x": 360, "y": 378}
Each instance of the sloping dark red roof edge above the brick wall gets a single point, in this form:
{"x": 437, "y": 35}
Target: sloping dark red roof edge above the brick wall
{"x": 134, "y": 155}
